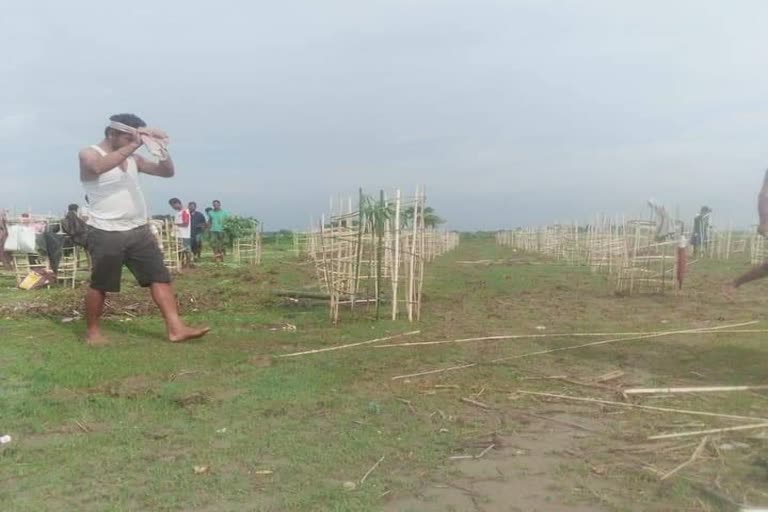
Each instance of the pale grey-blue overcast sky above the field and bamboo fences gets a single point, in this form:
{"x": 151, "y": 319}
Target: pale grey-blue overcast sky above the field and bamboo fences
{"x": 511, "y": 112}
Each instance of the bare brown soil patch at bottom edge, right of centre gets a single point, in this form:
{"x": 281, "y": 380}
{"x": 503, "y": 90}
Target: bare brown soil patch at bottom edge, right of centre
{"x": 523, "y": 472}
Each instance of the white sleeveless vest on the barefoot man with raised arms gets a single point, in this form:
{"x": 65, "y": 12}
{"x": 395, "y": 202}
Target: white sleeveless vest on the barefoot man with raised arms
{"x": 115, "y": 200}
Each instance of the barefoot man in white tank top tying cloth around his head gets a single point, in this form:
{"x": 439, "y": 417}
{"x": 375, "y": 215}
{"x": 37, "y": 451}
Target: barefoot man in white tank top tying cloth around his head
{"x": 118, "y": 226}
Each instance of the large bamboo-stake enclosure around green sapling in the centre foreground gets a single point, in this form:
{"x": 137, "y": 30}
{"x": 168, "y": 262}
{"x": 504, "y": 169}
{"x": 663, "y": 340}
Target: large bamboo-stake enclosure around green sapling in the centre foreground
{"x": 375, "y": 253}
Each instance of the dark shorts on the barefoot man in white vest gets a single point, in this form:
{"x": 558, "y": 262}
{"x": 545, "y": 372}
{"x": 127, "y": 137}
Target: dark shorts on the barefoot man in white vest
{"x": 136, "y": 249}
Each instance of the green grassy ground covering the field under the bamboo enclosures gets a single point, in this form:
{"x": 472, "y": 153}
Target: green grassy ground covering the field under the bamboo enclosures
{"x": 153, "y": 411}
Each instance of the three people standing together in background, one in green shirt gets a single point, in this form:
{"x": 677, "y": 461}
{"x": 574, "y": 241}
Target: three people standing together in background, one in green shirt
{"x": 191, "y": 226}
